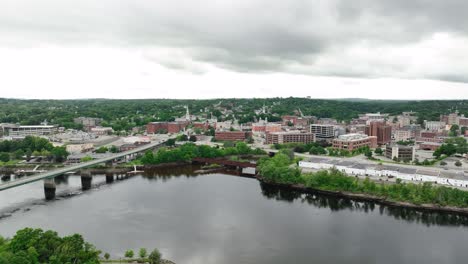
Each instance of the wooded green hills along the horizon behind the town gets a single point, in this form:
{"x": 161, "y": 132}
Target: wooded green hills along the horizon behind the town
{"x": 126, "y": 114}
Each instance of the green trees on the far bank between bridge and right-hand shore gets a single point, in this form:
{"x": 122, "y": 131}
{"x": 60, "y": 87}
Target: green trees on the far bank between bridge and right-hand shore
{"x": 189, "y": 151}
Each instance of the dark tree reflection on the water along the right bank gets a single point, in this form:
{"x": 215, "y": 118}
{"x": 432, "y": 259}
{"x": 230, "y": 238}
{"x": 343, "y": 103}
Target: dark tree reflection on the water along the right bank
{"x": 340, "y": 203}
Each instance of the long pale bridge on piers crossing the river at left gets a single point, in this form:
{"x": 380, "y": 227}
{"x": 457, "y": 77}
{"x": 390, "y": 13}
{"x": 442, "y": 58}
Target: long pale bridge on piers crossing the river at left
{"x": 49, "y": 184}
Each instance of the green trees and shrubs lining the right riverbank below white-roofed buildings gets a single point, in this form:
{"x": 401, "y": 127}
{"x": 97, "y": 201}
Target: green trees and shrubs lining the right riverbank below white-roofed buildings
{"x": 281, "y": 169}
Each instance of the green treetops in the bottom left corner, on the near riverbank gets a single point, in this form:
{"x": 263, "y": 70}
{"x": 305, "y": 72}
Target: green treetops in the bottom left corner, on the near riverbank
{"x": 34, "y": 246}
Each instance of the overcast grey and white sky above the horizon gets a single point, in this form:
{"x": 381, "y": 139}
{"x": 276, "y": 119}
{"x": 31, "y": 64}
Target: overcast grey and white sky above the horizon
{"x": 396, "y": 49}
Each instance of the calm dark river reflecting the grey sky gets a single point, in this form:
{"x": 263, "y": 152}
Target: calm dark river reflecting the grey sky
{"x": 218, "y": 218}
